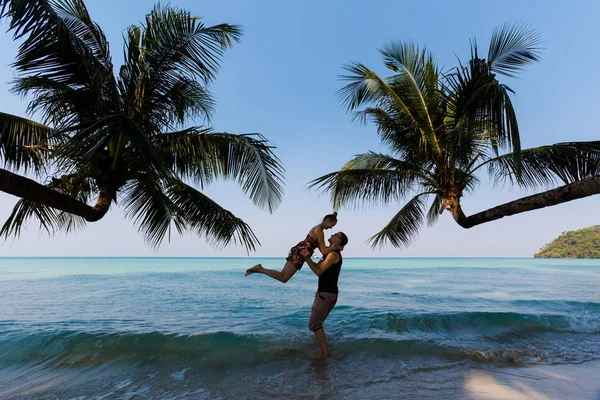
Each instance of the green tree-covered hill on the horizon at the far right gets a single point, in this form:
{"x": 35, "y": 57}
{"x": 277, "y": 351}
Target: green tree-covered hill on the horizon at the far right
{"x": 583, "y": 243}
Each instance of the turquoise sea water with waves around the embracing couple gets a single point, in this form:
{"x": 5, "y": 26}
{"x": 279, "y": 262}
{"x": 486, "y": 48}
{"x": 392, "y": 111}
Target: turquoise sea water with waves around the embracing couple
{"x": 103, "y": 328}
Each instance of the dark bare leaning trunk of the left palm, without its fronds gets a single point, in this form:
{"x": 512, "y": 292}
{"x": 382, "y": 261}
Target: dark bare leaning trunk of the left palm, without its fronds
{"x": 31, "y": 190}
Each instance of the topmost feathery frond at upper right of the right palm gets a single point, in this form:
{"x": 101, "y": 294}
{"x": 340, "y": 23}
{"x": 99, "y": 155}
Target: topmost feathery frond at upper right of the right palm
{"x": 512, "y": 47}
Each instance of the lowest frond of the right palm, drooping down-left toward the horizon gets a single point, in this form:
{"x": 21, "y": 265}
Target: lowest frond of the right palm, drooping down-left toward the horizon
{"x": 404, "y": 226}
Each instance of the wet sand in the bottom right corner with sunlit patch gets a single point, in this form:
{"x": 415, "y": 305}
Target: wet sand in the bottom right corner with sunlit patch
{"x": 487, "y": 382}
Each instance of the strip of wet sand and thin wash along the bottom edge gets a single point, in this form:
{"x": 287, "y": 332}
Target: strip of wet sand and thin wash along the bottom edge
{"x": 458, "y": 381}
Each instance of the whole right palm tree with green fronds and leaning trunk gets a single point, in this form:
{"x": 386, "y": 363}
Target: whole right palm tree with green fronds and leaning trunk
{"x": 442, "y": 129}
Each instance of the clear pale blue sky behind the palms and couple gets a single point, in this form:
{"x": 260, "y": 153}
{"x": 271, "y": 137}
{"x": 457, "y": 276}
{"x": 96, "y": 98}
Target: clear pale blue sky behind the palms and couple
{"x": 281, "y": 81}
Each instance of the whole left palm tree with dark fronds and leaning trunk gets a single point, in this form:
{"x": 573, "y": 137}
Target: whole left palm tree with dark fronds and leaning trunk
{"x": 124, "y": 136}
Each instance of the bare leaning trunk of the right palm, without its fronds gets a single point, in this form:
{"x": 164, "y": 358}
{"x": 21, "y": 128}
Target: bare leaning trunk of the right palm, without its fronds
{"x": 577, "y": 190}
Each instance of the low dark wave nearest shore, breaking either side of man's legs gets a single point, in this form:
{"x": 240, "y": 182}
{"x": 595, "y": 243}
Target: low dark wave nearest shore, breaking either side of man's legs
{"x": 224, "y": 350}
